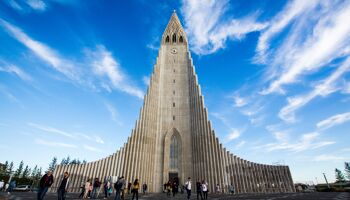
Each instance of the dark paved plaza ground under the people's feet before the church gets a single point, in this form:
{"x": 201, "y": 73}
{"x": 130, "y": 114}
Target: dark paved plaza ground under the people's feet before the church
{"x": 296, "y": 196}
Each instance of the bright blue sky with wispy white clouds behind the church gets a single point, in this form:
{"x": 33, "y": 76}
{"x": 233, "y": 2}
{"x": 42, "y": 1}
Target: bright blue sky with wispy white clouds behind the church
{"x": 275, "y": 76}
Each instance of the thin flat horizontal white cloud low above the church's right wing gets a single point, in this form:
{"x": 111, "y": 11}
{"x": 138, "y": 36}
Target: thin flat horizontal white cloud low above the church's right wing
{"x": 306, "y": 142}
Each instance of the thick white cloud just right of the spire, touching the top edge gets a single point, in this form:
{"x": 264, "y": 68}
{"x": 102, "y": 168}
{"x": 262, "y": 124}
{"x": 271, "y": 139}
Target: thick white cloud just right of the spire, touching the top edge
{"x": 208, "y": 28}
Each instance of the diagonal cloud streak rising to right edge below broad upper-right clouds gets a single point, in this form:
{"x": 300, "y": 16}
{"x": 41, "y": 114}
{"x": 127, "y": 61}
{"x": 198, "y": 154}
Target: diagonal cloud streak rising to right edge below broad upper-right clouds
{"x": 324, "y": 88}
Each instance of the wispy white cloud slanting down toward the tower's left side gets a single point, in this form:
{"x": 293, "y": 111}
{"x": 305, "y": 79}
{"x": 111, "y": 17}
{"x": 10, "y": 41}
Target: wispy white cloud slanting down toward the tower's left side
{"x": 104, "y": 64}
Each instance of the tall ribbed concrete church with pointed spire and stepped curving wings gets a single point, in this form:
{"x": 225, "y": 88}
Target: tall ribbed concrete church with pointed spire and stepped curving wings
{"x": 174, "y": 137}
